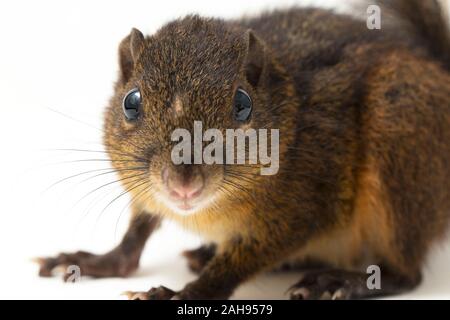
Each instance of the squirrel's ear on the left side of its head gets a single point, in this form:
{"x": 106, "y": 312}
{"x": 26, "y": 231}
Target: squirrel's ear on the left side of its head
{"x": 128, "y": 51}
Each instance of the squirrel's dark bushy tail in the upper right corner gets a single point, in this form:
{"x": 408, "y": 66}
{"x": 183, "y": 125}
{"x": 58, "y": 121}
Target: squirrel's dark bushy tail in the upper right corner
{"x": 428, "y": 21}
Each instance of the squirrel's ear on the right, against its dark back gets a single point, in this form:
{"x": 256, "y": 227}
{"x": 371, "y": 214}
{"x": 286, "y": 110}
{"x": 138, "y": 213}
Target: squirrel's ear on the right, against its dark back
{"x": 255, "y": 58}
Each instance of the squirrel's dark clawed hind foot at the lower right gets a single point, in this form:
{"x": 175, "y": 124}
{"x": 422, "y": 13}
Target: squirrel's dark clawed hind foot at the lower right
{"x": 335, "y": 284}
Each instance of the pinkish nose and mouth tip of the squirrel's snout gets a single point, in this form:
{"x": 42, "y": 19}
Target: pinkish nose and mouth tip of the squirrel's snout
{"x": 185, "y": 183}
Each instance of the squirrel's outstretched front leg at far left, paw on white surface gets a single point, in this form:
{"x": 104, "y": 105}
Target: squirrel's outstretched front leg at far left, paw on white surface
{"x": 119, "y": 262}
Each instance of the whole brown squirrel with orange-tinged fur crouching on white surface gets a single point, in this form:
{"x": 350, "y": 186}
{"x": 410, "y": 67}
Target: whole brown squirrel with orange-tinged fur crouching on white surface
{"x": 364, "y": 169}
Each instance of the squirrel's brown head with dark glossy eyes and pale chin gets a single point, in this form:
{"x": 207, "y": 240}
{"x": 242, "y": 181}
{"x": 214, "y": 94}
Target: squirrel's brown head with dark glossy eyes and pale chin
{"x": 191, "y": 70}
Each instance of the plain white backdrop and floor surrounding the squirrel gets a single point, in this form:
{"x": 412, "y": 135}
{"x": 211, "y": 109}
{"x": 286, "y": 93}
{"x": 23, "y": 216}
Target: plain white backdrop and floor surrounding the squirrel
{"x": 58, "y": 62}
